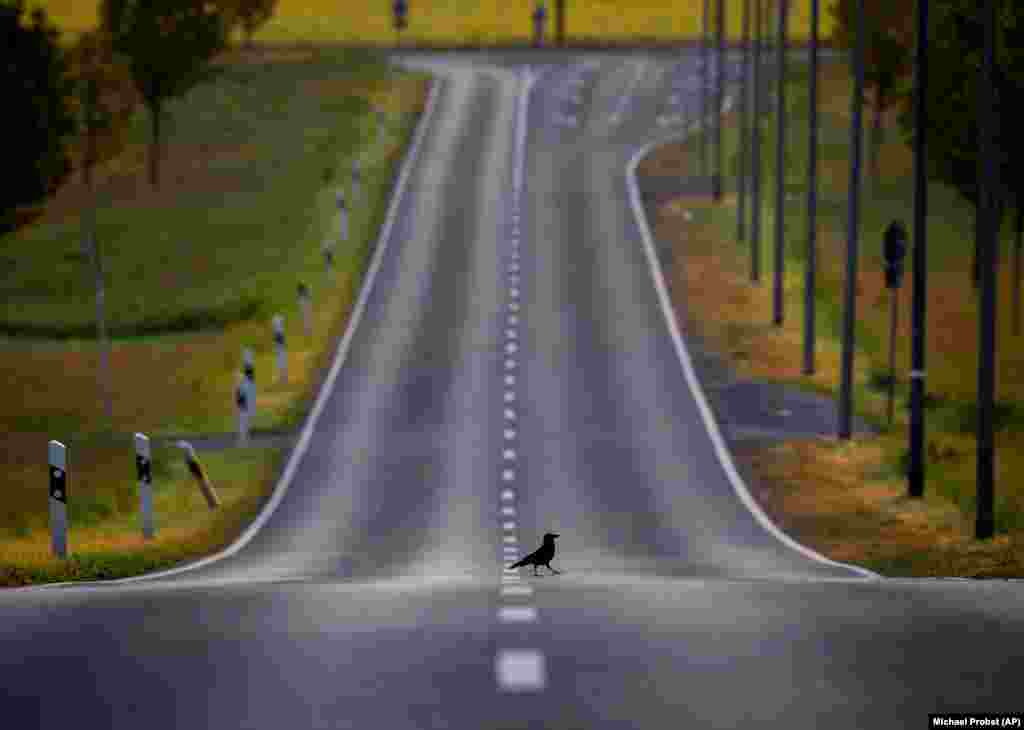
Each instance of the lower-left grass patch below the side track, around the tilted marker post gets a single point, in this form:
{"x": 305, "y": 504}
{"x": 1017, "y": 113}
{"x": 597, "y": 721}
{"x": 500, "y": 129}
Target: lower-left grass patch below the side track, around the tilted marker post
{"x": 105, "y": 537}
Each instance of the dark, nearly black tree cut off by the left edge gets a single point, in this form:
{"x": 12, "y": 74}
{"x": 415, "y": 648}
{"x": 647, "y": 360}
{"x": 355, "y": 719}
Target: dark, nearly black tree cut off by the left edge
{"x": 38, "y": 119}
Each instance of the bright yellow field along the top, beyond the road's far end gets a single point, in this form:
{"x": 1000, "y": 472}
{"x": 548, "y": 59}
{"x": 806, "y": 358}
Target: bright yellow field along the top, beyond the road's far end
{"x": 471, "y": 22}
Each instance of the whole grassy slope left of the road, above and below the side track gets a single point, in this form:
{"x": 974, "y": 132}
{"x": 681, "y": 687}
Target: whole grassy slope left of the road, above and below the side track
{"x": 244, "y": 228}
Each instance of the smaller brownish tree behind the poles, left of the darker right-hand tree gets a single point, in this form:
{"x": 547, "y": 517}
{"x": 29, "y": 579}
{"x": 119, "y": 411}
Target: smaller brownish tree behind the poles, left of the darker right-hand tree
{"x": 888, "y": 56}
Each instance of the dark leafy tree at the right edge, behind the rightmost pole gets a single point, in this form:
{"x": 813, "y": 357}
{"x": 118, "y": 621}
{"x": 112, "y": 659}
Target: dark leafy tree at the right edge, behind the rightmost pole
{"x": 955, "y": 53}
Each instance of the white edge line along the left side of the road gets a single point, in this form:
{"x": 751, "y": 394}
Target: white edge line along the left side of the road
{"x": 325, "y": 392}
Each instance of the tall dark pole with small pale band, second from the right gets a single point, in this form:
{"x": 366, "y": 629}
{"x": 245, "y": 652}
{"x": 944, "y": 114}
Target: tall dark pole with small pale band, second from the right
{"x": 916, "y": 475}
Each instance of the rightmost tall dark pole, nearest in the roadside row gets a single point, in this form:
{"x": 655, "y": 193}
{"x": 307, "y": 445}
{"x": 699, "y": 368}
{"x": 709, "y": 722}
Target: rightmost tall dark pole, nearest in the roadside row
{"x": 986, "y": 527}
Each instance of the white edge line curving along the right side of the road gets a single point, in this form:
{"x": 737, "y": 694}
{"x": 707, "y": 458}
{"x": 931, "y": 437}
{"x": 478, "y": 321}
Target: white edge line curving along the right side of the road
{"x": 721, "y": 450}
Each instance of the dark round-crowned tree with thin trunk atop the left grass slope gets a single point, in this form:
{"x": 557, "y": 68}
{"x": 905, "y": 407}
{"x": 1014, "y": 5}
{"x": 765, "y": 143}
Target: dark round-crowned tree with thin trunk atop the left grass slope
{"x": 168, "y": 46}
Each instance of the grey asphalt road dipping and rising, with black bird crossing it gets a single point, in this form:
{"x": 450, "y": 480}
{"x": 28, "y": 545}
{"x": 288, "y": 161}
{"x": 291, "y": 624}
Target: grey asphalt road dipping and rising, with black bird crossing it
{"x": 373, "y": 594}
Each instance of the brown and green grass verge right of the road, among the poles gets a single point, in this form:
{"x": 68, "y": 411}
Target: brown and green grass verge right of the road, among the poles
{"x": 849, "y": 500}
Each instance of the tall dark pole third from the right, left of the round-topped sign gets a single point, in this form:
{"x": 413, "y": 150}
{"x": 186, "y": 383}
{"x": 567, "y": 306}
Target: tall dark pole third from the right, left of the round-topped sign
{"x": 850, "y": 290}
